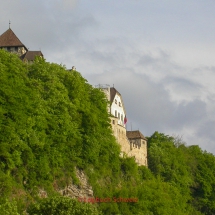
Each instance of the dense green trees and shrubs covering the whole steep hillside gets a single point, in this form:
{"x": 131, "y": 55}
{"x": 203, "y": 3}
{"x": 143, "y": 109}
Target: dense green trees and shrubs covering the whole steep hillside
{"x": 52, "y": 120}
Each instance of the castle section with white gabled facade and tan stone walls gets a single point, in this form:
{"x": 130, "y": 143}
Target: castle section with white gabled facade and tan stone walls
{"x": 132, "y": 143}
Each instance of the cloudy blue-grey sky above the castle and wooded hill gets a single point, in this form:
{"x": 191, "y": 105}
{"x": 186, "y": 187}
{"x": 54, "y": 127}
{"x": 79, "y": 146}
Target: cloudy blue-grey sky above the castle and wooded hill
{"x": 158, "y": 54}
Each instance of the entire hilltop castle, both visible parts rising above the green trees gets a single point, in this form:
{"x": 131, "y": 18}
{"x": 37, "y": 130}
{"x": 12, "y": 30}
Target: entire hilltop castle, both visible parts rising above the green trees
{"x": 132, "y": 143}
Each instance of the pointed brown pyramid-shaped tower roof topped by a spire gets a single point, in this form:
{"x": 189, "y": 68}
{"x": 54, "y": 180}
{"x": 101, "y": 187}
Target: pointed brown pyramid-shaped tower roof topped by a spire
{"x": 9, "y": 39}
